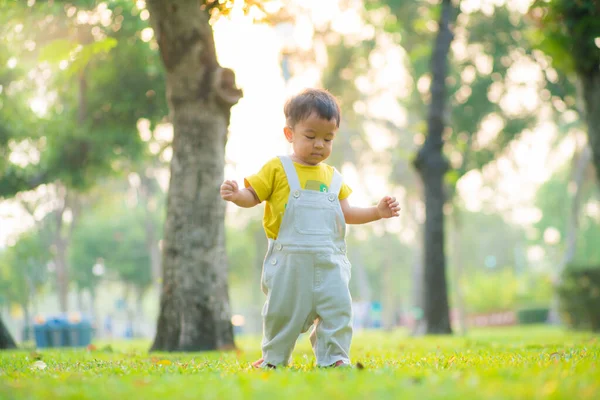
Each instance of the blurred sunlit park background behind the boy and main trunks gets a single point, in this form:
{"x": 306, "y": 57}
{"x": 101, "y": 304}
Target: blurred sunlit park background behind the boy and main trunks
{"x": 81, "y": 83}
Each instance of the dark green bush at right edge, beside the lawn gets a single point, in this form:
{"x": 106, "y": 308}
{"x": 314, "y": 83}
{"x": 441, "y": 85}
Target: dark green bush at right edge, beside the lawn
{"x": 579, "y": 296}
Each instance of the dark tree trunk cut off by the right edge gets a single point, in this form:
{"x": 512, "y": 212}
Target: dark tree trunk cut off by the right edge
{"x": 591, "y": 95}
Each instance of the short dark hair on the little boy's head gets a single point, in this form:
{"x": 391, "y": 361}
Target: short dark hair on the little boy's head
{"x": 320, "y": 101}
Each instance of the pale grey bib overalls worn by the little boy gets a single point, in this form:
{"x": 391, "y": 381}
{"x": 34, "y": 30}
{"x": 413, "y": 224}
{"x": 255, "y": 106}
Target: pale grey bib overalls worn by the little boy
{"x": 306, "y": 275}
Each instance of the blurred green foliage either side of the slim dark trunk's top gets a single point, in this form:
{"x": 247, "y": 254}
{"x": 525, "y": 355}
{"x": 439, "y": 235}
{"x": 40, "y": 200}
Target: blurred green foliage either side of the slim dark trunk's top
{"x": 494, "y": 38}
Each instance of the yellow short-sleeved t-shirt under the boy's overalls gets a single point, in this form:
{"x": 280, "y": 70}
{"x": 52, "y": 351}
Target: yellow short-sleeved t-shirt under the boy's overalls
{"x": 271, "y": 185}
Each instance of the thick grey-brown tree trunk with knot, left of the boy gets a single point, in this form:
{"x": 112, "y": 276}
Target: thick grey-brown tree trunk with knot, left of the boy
{"x": 194, "y": 306}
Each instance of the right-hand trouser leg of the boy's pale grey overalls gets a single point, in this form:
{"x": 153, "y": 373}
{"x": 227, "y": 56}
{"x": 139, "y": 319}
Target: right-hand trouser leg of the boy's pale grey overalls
{"x": 332, "y": 334}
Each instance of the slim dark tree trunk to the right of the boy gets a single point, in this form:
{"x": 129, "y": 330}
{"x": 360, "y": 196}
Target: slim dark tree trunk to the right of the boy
{"x": 432, "y": 166}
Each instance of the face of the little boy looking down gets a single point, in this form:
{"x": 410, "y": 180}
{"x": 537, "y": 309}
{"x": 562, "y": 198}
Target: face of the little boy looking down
{"x": 312, "y": 139}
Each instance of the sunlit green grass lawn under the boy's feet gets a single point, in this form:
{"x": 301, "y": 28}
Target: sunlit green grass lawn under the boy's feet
{"x": 523, "y": 363}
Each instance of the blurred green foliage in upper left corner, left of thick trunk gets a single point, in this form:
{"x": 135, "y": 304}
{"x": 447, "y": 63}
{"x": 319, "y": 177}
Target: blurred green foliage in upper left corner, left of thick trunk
{"x": 101, "y": 77}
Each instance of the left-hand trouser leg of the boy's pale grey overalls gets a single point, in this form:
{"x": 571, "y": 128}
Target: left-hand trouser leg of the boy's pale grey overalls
{"x": 288, "y": 309}
